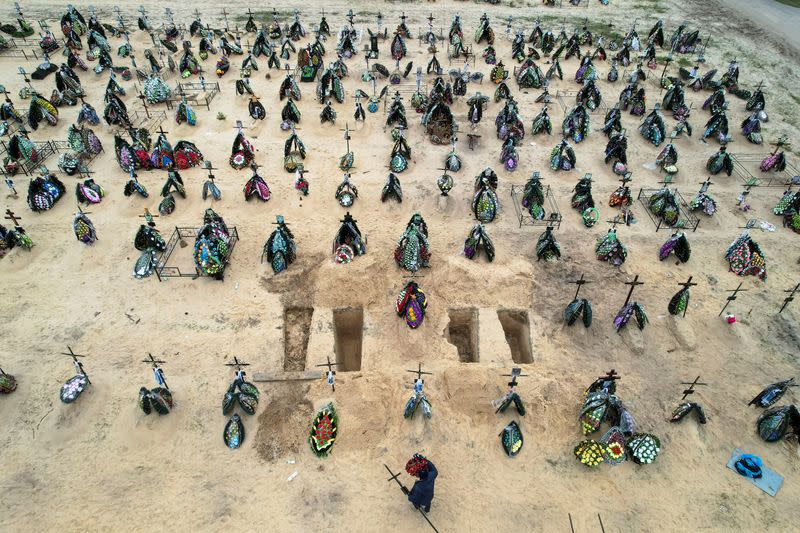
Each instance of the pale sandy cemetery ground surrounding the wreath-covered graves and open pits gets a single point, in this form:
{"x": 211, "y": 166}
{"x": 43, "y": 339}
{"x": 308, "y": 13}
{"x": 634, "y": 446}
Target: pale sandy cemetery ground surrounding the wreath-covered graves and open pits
{"x": 100, "y": 464}
